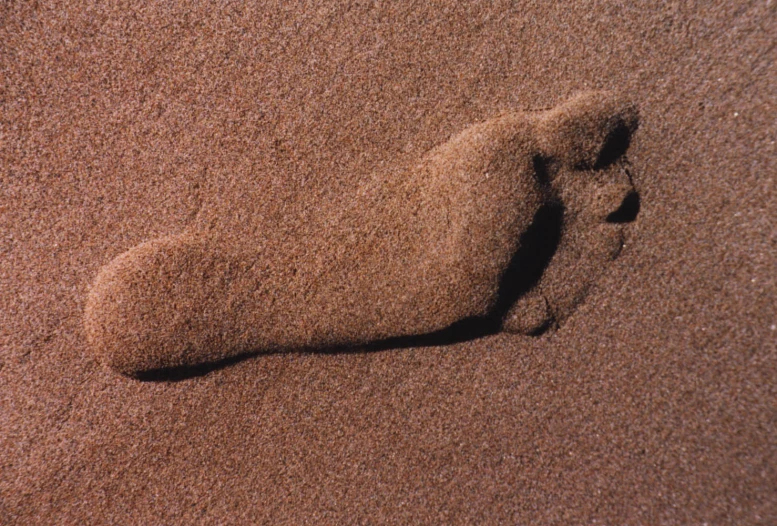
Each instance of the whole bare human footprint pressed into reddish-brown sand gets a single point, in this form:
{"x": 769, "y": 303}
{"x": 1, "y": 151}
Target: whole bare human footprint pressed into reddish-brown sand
{"x": 504, "y": 227}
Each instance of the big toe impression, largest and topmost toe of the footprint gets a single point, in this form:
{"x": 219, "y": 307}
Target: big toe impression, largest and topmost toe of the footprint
{"x": 592, "y": 130}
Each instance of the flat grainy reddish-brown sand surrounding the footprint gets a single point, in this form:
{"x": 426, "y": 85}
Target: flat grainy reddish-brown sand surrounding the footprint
{"x": 655, "y": 402}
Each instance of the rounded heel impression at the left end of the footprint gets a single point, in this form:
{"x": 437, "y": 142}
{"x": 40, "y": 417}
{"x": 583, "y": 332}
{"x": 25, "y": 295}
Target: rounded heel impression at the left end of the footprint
{"x": 153, "y": 307}
